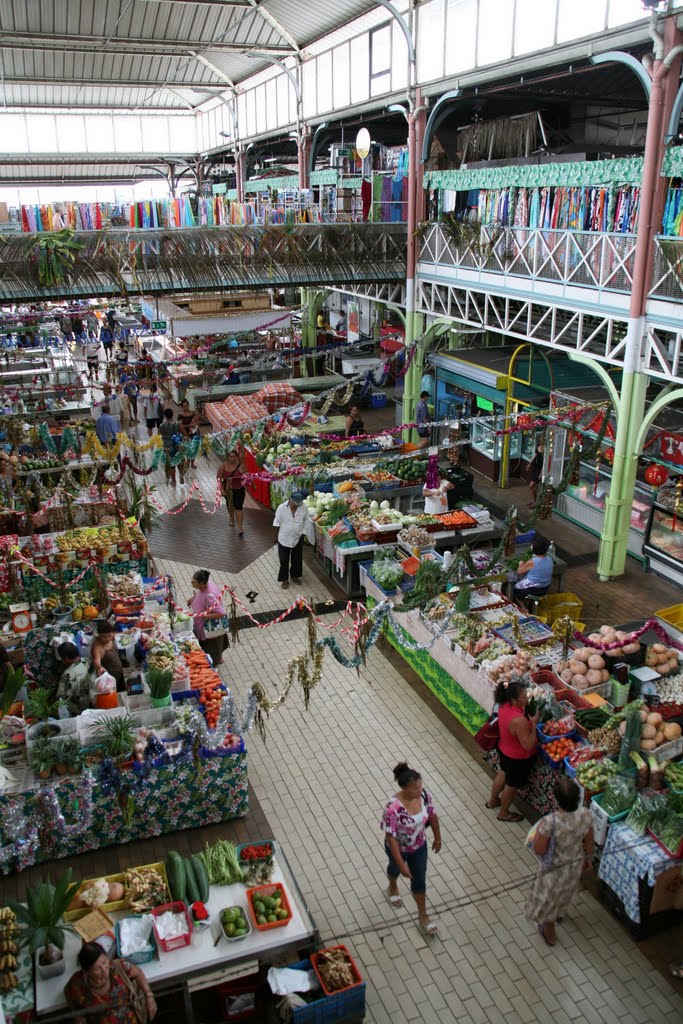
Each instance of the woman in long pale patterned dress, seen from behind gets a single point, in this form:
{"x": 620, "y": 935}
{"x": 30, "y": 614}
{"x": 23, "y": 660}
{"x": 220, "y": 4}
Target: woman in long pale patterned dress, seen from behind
{"x": 570, "y": 832}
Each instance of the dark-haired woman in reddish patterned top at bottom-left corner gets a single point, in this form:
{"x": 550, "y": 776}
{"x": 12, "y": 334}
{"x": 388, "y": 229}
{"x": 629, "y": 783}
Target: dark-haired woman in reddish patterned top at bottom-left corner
{"x": 109, "y": 992}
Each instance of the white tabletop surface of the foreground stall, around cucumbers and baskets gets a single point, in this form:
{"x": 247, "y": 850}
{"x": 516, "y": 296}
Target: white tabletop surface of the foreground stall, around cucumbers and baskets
{"x": 206, "y": 962}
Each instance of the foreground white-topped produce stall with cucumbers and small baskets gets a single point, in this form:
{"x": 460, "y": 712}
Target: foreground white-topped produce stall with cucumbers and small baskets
{"x": 210, "y": 911}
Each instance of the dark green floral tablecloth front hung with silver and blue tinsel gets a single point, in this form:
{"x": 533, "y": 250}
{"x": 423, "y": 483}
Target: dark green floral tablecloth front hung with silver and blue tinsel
{"x": 186, "y": 795}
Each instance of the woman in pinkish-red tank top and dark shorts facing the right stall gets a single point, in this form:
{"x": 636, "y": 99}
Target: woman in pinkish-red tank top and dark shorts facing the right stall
{"x": 517, "y": 749}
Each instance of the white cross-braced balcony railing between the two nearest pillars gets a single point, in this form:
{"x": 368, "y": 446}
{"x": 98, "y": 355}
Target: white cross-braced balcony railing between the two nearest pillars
{"x": 587, "y": 260}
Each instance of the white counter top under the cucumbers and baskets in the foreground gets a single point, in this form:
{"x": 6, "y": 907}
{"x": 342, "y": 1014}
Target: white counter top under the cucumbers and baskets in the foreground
{"x": 204, "y": 956}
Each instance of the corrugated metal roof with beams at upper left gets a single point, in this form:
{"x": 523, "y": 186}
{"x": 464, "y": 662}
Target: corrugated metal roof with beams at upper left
{"x": 123, "y": 49}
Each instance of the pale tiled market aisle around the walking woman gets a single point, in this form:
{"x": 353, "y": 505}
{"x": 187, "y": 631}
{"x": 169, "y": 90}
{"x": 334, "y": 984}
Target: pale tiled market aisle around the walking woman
{"x": 323, "y": 779}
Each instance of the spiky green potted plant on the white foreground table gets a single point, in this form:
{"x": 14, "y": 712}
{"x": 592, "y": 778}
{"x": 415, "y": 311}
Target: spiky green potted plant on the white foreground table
{"x": 45, "y": 931}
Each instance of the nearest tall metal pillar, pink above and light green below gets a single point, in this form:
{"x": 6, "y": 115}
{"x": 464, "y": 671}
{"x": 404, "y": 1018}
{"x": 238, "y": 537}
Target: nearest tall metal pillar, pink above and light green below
{"x": 631, "y": 408}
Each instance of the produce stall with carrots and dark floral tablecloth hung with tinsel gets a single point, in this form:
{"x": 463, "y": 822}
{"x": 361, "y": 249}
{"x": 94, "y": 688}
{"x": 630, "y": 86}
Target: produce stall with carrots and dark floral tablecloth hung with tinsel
{"x": 87, "y": 767}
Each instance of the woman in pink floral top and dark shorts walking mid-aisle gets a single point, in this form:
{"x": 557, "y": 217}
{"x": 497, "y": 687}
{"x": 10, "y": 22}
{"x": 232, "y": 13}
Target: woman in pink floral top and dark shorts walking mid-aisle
{"x": 405, "y": 822}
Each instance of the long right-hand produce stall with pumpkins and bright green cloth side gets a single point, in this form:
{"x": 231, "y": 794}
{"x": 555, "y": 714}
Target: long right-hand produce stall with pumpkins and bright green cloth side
{"x": 583, "y": 733}
